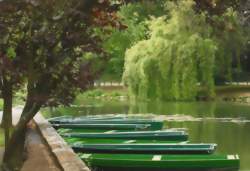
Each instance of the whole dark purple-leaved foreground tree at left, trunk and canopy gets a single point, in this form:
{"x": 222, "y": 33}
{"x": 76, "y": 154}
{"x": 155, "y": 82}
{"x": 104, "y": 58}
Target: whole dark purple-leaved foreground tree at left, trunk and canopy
{"x": 44, "y": 47}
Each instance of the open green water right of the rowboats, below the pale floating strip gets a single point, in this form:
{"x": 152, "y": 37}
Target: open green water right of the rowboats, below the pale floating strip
{"x": 232, "y": 138}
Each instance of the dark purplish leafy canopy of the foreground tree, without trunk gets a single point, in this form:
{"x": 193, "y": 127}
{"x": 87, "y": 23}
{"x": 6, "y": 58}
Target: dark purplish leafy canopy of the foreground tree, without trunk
{"x": 44, "y": 43}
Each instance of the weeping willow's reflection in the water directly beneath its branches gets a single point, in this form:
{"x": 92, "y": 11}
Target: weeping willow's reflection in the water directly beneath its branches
{"x": 195, "y": 109}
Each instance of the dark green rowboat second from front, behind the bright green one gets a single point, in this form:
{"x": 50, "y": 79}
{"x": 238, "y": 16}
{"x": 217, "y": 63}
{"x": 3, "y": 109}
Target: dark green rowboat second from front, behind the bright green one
{"x": 146, "y": 148}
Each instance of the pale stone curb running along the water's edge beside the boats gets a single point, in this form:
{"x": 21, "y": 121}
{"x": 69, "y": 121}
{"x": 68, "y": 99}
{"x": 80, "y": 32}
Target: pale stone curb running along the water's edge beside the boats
{"x": 65, "y": 156}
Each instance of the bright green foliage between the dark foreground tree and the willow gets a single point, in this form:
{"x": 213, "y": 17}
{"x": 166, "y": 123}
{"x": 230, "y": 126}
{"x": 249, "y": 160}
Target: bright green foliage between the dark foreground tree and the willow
{"x": 133, "y": 16}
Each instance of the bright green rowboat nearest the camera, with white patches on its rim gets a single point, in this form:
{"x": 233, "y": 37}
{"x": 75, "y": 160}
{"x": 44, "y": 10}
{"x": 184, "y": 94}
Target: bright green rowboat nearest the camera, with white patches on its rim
{"x": 149, "y": 162}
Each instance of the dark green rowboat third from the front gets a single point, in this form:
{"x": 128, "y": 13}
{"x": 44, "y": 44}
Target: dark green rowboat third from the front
{"x": 145, "y": 135}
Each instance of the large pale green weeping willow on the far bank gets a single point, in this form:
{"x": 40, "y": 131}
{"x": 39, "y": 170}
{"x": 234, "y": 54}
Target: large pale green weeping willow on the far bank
{"x": 178, "y": 56}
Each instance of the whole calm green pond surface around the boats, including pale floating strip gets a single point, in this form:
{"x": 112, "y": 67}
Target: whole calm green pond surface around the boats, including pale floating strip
{"x": 224, "y": 123}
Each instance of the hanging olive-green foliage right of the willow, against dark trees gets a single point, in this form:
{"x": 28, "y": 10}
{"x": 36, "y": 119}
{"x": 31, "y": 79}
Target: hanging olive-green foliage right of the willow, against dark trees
{"x": 231, "y": 43}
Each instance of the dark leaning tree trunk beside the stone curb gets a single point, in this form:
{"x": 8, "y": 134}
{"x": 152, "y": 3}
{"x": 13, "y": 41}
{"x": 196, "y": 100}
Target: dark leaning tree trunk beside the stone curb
{"x": 12, "y": 159}
